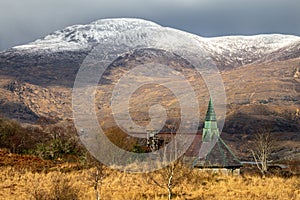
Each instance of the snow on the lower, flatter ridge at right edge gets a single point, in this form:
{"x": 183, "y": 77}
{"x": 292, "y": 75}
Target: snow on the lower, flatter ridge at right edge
{"x": 241, "y": 50}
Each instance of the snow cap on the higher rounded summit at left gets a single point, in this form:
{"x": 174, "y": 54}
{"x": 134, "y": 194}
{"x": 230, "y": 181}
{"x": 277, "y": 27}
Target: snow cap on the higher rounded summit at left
{"x": 78, "y": 37}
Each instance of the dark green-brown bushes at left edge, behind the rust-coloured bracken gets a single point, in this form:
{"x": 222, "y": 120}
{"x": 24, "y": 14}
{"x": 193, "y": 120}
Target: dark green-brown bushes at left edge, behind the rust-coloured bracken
{"x": 56, "y": 142}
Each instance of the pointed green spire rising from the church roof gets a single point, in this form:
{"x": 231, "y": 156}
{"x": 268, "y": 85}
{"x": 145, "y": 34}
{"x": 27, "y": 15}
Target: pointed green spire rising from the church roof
{"x": 210, "y": 129}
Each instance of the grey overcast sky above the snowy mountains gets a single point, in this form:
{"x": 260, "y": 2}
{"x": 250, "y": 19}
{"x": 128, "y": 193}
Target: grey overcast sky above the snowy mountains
{"x": 23, "y": 21}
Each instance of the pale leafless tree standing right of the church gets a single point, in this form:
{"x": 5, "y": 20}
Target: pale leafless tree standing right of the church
{"x": 264, "y": 145}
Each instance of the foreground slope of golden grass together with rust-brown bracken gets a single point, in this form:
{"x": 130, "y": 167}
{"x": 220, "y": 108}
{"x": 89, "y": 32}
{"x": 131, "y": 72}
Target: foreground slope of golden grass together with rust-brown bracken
{"x": 74, "y": 181}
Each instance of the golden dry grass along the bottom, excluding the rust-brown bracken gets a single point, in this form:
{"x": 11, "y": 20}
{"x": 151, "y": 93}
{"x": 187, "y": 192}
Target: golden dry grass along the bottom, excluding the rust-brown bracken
{"x": 25, "y": 184}
